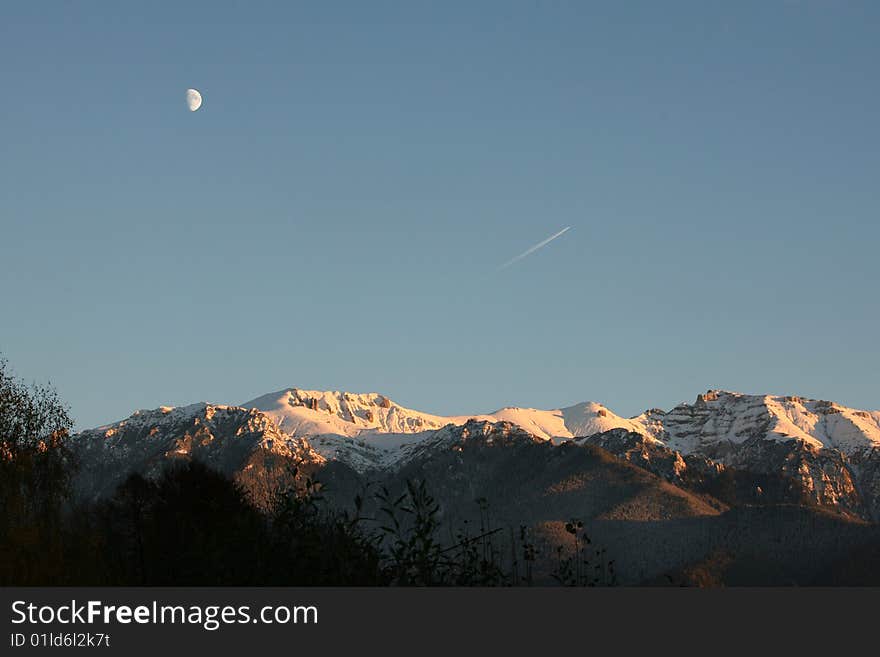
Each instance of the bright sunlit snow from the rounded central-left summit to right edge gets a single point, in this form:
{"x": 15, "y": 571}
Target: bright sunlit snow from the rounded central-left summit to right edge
{"x": 716, "y": 417}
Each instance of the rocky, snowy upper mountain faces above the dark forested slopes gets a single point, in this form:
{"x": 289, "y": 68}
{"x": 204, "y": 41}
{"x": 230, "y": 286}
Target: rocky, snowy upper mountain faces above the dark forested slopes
{"x": 732, "y": 447}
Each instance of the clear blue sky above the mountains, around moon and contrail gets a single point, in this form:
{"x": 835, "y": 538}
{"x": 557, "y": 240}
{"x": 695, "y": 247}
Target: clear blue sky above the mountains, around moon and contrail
{"x": 338, "y": 213}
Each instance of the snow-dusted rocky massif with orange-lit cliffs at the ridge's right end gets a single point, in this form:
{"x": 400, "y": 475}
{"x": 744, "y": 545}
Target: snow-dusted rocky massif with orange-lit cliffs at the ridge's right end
{"x": 827, "y": 454}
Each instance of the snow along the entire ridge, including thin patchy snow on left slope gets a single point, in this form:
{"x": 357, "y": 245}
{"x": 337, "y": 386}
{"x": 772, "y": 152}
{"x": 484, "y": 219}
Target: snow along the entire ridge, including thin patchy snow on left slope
{"x": 369, "y": 430}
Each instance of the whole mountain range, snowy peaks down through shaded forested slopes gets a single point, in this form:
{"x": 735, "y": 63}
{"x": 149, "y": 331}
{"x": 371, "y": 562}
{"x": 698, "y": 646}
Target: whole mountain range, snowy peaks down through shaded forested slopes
{"x": 730, "y": 473}
